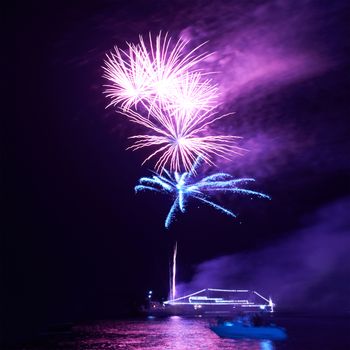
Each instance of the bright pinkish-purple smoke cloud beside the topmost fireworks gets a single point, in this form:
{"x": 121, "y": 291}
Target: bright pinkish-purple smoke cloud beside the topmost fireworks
{"x": 259, "y": 48}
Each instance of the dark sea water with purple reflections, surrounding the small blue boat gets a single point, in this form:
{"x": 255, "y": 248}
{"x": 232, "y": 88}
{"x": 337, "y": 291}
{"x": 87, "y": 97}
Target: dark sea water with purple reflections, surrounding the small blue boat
{"x": 179, "y": 333}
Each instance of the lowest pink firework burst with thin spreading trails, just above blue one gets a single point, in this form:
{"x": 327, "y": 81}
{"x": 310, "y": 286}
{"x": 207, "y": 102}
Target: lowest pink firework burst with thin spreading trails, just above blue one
{"x": 177, "y": 139}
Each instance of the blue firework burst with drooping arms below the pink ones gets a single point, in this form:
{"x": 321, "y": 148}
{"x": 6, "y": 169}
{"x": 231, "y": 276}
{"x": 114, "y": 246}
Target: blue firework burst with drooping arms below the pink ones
{"x": 183, "y": 187}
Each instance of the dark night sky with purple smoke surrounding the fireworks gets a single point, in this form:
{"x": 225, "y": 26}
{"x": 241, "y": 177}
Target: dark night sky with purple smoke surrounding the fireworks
{"x": 78, "y": 244}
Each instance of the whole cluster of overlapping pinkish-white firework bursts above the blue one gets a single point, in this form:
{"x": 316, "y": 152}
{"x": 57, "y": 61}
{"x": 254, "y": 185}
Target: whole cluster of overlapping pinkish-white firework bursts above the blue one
{"x": 180, "y": 104}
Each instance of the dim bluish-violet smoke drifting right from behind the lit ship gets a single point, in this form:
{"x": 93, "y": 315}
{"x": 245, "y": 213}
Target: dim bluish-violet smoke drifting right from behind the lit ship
{"x": 307, "y": 271}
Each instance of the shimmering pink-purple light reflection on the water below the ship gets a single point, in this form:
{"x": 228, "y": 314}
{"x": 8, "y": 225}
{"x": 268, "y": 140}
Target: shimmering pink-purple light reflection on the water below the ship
{"x": 161, "y": 334}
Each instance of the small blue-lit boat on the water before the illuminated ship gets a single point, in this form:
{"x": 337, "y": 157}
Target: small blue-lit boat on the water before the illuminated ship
{"x": 240, "y": 330}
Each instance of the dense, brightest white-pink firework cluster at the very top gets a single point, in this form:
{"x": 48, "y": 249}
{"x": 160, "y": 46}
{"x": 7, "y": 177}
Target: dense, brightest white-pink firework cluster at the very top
{"x": 158, "y": 73}
